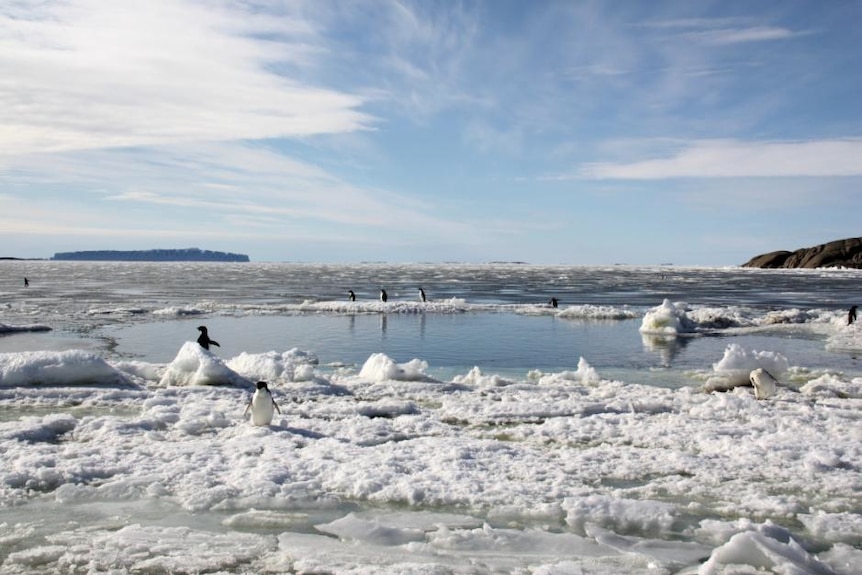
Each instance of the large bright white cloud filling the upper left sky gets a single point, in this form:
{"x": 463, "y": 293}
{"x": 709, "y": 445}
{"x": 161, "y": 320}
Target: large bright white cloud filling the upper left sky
{"x": 92, "y": 74}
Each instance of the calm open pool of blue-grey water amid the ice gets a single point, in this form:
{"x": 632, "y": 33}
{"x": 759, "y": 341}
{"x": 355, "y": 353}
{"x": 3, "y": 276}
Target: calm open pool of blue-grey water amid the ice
{"x": 509, "y": 345}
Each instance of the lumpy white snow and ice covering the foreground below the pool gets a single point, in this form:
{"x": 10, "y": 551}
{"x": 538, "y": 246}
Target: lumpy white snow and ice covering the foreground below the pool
{"x": 555, "y": 473}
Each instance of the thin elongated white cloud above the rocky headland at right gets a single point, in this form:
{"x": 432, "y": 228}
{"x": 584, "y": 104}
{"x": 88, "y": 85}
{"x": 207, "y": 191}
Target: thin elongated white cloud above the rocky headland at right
{"x": 735, "y": 159}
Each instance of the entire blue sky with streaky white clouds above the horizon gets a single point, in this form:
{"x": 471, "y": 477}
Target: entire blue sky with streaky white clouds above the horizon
{"x": 571, "y": 132}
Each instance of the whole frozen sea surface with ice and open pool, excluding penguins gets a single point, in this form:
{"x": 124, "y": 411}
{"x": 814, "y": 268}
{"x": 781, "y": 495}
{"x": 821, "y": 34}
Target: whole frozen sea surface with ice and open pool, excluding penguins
{"x": 482, "y": 431}
